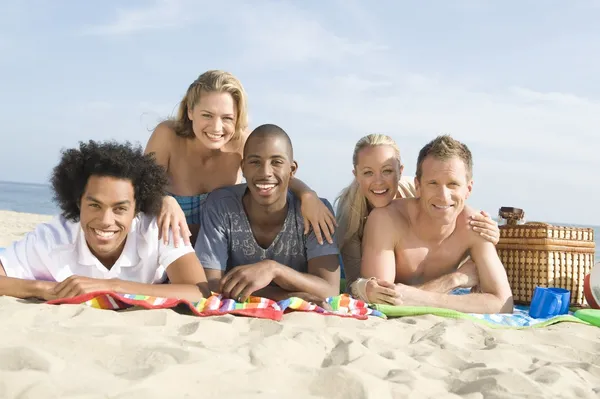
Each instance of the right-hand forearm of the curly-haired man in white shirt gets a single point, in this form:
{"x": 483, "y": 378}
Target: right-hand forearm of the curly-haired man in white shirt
{"x": 189, "y": 292}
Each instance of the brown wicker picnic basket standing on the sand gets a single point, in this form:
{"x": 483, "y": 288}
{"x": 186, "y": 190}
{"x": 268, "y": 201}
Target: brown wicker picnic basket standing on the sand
{"x": 540, "y": 254}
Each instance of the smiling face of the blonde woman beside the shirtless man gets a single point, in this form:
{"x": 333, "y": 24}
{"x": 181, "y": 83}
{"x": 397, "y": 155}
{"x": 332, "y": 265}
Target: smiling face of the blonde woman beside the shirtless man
{"x": 377, "y": 172}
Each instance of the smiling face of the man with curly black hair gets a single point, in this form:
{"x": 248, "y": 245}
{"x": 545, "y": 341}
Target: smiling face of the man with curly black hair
{"x": 107, "y": 210}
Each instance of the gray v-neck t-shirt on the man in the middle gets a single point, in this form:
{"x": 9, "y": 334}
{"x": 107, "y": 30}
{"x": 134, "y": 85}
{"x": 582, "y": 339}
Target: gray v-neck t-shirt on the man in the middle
{"x": 226, "y": 240}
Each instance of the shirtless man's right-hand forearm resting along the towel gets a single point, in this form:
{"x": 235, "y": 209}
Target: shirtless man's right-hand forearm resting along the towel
{"x": 469, "y": 303}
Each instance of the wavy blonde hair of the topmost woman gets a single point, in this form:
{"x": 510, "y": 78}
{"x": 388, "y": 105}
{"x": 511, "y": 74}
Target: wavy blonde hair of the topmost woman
{"x": 212, "y": 81}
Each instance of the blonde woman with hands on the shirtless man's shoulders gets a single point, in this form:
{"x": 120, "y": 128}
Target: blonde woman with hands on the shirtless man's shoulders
{"x": 377, "y": 181}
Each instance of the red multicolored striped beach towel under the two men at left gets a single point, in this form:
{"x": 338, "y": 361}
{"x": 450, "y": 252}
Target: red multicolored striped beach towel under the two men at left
{"x": 341, "y": 305}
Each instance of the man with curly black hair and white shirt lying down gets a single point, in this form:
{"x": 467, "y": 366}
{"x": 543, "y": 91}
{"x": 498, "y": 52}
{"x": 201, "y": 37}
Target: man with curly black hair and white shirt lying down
{"x": 106, "y": 237}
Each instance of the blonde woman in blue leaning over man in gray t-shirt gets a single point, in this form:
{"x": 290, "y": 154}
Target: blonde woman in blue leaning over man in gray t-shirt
{"x": 202, "y": 150}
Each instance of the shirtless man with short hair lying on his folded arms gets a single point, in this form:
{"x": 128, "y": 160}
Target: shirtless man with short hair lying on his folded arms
{"x": 412, "y": 248}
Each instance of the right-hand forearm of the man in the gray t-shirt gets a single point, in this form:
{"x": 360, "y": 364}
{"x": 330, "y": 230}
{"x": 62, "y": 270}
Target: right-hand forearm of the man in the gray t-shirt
{"x": 292, "y": 280}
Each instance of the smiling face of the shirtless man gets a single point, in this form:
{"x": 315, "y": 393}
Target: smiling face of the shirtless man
{"x": 443, "y": 188}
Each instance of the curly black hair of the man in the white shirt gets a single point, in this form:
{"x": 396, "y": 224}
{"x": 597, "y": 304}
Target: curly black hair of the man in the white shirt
{"x": 109, "y": 158}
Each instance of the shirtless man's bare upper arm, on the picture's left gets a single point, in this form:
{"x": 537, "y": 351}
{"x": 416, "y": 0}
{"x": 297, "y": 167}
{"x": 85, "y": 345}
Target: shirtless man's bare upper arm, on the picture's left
{"x": 378, "y": 259}
